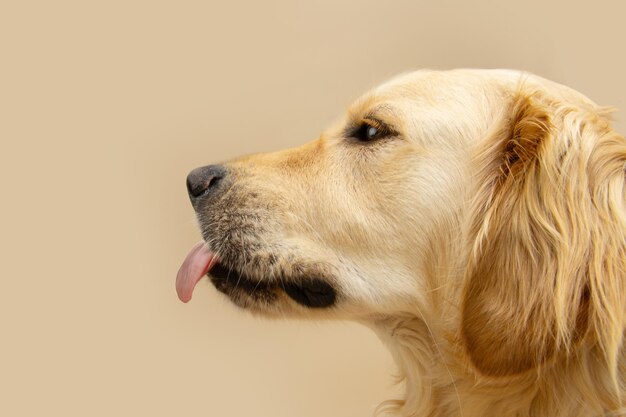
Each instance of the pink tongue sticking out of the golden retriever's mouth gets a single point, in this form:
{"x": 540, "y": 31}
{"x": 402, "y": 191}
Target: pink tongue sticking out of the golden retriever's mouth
{"x": 194, "y": 267}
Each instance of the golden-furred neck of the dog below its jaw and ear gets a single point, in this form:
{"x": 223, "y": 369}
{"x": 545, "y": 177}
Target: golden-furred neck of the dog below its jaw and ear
{"x": 440, "y": 382}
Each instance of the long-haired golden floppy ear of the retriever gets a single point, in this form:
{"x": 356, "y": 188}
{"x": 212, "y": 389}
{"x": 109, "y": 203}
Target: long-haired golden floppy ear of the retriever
{"x": 547, "y": 267}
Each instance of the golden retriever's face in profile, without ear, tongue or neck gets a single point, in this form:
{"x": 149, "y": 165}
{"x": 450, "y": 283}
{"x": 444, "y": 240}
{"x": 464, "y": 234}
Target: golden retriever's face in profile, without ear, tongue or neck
{"x": 345, "y": 225}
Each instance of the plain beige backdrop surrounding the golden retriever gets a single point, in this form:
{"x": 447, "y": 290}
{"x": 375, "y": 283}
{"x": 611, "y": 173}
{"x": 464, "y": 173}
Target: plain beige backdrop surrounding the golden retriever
{"x": 104, "y": 108}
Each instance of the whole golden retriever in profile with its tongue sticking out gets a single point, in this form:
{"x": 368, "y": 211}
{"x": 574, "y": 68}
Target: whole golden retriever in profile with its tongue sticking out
{"x": 474, "y": 219}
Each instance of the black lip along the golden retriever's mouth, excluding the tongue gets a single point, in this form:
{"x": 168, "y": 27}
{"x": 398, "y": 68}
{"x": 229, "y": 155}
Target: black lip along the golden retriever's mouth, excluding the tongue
{"x": 306, "y": 291}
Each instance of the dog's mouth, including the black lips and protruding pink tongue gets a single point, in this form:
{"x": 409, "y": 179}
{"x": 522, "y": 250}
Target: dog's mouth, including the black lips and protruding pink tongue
{"x": 312, "y": 292}
